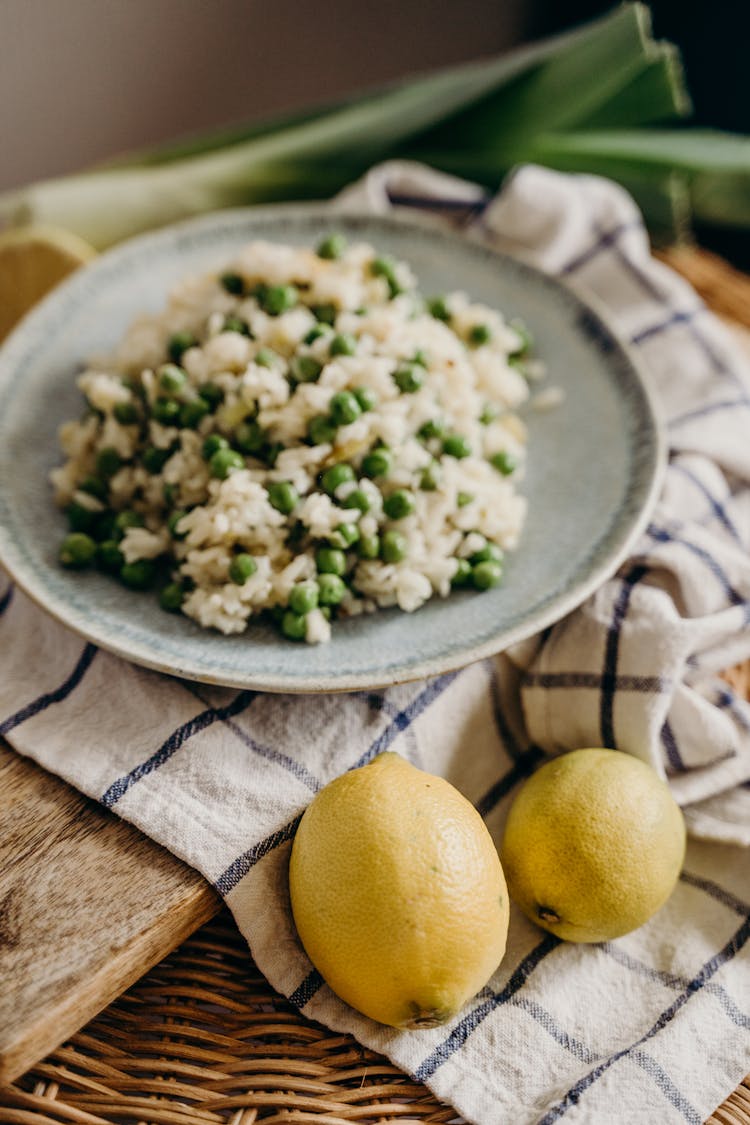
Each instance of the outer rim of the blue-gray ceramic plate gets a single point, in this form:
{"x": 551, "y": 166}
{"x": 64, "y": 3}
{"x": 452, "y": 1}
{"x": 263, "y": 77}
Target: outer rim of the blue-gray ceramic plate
{"x": 134, "y": 652}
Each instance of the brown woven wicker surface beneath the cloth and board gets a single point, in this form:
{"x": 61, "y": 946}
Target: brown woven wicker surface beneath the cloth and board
{"x": 203, "y": 1039}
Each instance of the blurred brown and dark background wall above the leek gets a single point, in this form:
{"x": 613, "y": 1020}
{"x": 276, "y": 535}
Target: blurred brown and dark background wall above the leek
{"x": 83, "y": 80}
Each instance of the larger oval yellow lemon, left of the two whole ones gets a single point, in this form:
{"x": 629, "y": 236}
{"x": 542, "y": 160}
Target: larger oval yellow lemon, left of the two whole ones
{"x": 399, "y": 894}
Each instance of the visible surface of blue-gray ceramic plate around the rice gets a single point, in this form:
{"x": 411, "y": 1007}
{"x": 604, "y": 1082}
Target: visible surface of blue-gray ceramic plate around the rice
{"x": 594, "y": 471}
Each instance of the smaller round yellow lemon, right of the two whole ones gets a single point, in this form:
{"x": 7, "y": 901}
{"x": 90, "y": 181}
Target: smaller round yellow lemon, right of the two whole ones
{"x": 593, "y": 847}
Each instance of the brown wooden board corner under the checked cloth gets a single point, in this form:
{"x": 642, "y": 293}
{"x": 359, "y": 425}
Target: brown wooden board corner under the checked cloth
{"x": 87, "y": 906}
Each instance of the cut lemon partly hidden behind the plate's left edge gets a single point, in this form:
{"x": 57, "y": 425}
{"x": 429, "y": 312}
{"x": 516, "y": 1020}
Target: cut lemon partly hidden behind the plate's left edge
{"x": 33, "y": 260}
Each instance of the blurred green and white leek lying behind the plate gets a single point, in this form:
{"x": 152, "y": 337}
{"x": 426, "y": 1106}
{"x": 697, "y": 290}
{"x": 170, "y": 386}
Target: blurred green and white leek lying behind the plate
{"x": 585, "y": 101}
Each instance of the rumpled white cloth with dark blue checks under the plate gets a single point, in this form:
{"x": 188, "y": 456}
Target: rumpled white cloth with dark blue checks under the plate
{"x": 653, "y": 1027}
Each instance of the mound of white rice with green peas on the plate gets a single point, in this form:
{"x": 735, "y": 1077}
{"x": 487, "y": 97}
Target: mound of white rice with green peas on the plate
{"x": 301, "y": 434}
